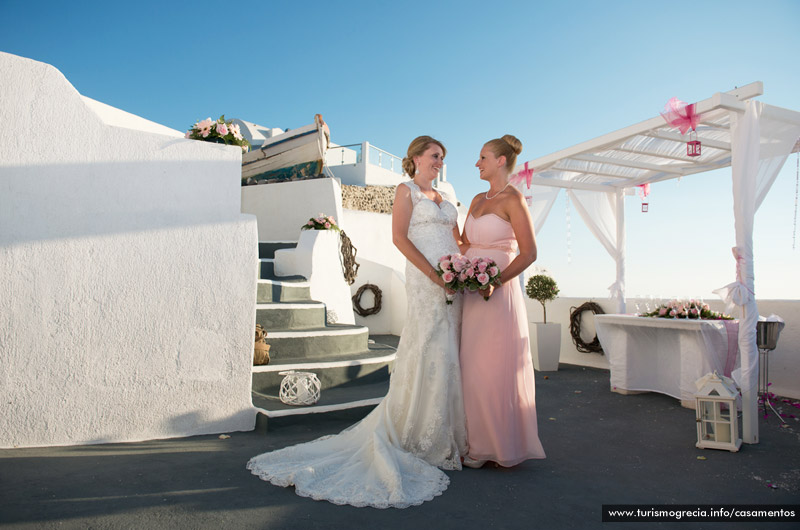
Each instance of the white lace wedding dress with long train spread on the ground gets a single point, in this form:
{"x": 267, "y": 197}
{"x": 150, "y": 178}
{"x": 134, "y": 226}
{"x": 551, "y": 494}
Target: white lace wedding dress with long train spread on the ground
{"x": 392, "y": 457}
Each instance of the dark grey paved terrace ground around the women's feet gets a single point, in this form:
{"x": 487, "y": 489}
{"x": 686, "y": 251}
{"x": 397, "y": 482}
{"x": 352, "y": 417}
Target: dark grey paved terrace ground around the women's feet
{"x": 602, "y": 448}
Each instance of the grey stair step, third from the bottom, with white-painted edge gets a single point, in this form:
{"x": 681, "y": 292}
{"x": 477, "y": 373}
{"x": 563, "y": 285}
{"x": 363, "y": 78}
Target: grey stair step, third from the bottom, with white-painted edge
{"x": 333, "y": 342}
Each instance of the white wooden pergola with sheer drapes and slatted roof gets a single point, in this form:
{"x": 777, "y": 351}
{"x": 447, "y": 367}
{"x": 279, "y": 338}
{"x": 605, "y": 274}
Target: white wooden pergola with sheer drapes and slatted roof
{"x": 735, "y": 130}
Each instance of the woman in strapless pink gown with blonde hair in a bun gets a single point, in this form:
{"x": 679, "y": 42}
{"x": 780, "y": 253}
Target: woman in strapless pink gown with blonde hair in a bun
{"x": 496, "y": 366}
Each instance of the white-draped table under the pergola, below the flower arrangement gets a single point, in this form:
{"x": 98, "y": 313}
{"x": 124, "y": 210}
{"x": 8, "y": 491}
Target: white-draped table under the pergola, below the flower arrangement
{"x": 666, "y": 355}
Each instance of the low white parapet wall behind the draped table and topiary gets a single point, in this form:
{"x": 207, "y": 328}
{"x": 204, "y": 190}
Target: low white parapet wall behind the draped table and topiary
{"x": 784, "y": 366}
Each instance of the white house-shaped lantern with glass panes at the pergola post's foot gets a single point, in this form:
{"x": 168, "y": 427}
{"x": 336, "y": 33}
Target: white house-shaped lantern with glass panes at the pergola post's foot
{"x": 717, "y": 413}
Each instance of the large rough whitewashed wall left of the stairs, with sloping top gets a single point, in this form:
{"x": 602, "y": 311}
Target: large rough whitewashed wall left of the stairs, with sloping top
{"x": 128, "y": 274}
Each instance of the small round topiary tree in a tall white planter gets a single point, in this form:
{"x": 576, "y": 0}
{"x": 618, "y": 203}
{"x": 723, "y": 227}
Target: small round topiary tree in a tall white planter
{"x": 545, "y": 338}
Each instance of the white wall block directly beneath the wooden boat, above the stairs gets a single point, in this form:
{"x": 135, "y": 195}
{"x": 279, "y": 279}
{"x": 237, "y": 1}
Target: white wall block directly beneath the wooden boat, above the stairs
{"x": 283, "y": 208}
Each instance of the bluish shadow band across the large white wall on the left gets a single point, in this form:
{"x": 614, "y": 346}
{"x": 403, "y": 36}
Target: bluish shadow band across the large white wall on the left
{"x": 57, "y": 201}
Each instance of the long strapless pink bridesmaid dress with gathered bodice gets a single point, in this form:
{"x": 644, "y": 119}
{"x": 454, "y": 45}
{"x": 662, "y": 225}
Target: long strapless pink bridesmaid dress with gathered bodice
{"x": 496, "y": 366}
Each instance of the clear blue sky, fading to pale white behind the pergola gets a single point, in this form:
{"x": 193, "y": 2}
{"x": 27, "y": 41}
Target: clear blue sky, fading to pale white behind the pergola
{"x": 553, "y": 74}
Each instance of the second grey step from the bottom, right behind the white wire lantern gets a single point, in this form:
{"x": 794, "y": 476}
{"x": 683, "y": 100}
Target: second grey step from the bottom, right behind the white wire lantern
{"x": 372, "y": 366}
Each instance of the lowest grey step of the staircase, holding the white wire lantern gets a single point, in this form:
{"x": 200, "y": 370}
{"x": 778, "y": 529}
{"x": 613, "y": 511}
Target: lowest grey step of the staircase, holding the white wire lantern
{"x": 358, "y": 399}
